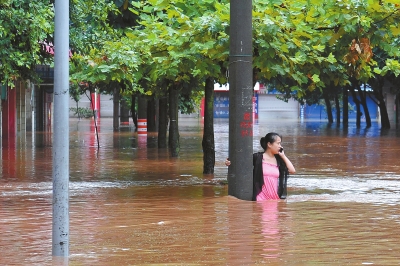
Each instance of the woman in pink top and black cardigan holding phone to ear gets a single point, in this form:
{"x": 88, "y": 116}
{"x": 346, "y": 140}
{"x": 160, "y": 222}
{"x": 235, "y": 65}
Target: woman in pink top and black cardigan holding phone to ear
{"x": 270, "y": 169}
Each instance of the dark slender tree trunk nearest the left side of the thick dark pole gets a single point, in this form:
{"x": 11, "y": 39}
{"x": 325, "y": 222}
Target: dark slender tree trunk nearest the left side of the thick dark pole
{"x": 208, "y": 143}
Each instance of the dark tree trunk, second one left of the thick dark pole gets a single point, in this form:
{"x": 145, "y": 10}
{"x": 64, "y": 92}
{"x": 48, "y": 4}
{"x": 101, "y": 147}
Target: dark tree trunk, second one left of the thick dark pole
{"x": 173, "y": 125}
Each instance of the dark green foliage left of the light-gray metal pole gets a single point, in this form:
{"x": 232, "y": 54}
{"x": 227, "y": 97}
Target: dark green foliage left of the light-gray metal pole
{"x": 24, "y": 26}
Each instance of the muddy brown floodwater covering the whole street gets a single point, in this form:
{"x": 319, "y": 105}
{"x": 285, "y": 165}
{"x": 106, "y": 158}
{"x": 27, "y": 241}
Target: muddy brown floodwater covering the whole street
{"x": 132, "y": 205}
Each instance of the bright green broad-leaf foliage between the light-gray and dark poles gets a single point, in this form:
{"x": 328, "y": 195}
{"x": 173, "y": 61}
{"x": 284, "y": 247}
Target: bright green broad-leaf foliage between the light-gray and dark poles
{"x": 174, "y": 42}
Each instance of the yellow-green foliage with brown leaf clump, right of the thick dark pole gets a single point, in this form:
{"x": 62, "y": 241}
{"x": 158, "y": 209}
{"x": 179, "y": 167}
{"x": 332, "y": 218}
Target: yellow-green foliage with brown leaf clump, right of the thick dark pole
{"x": 307, "y": 46}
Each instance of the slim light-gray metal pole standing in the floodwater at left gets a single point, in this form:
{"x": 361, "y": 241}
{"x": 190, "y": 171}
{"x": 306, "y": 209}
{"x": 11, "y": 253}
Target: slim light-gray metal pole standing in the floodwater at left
{"x": 60, "y": 240}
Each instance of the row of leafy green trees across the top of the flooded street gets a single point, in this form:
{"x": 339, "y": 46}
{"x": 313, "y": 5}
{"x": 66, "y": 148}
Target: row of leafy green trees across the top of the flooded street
{"x": 175, "y": 50}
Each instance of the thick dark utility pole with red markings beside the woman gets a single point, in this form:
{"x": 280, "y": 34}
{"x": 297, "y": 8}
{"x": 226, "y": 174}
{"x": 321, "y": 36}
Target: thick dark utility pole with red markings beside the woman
{"x": 240, "y": 172}
